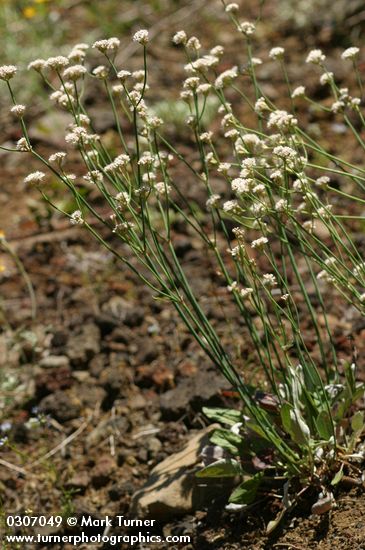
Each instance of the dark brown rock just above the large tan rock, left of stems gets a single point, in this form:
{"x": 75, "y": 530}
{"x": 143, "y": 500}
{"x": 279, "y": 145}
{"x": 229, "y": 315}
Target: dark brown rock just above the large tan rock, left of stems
{"x": 195, "y": 391}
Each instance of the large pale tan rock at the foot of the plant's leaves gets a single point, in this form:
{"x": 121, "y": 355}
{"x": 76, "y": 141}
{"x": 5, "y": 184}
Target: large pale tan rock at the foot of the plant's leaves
{"x": 172, "y": 488}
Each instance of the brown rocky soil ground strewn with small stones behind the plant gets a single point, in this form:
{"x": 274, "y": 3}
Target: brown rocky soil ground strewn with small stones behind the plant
{"x": 114, "y": 372}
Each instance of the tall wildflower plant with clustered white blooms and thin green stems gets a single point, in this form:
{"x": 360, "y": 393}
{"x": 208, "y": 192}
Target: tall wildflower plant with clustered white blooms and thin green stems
{"x": 299, "y": 426}
